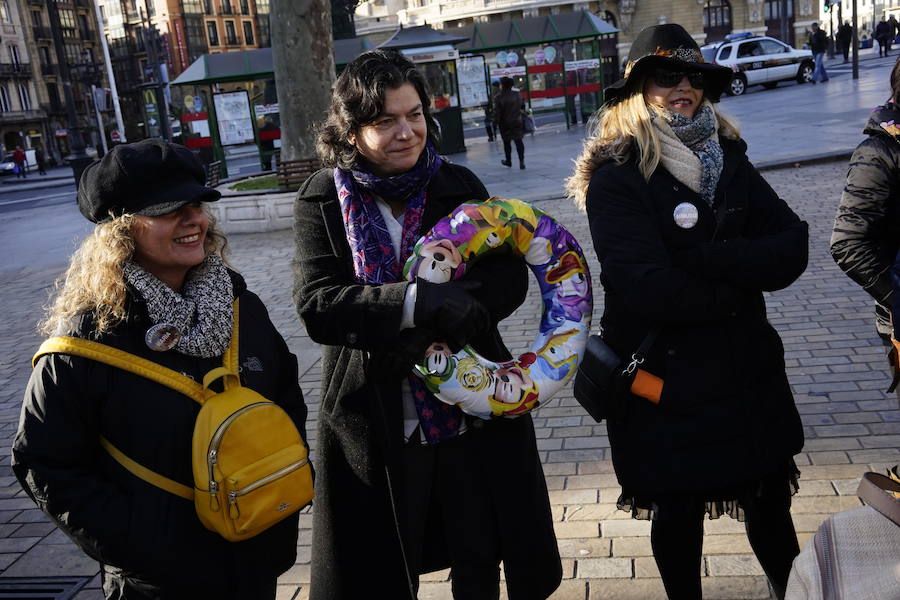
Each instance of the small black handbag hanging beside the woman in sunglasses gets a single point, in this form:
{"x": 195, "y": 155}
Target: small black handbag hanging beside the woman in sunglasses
{"x": 603, "y": 380}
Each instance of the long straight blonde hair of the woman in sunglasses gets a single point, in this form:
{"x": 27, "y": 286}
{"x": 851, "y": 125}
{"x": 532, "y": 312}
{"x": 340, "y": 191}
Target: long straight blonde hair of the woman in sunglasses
{"x": 619, "y": 129}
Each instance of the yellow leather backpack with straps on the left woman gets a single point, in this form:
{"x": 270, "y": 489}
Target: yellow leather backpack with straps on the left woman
{"x": 251, "y": 468}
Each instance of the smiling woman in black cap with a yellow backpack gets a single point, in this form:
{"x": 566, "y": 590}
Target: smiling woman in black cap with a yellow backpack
{"x": 154, "y": 258}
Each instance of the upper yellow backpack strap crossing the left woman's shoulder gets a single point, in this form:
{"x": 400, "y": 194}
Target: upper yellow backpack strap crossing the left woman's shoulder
{"x": 125, "y": 361}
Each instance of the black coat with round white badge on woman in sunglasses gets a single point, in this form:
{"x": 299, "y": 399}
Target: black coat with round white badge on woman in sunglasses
{"x": 727, "y": 415}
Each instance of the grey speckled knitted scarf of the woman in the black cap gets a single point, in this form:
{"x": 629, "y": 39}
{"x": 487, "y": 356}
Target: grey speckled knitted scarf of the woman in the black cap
{"x": 202, "y": 312}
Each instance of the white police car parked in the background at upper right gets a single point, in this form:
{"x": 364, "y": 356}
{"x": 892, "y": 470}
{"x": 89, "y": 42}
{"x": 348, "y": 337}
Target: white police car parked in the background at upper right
{"x": 759, "y": 59}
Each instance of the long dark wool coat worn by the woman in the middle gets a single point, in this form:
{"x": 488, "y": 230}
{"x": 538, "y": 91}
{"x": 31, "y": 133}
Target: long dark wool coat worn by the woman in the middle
{"x": 355, "y": 544}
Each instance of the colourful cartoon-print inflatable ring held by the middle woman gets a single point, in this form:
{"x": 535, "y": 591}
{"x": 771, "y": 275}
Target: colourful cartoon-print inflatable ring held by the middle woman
{"x": 481, "y": 387}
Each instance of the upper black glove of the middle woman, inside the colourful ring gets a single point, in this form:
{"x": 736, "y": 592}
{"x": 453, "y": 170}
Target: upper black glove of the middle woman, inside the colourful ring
{"x": 450, "y": 311}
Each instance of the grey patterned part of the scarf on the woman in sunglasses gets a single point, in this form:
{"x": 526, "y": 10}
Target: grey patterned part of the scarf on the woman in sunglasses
{"x": 697, "y": 135}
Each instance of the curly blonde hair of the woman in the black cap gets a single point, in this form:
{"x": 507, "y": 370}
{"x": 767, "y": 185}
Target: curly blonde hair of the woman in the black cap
{"x": 94, "y": 280}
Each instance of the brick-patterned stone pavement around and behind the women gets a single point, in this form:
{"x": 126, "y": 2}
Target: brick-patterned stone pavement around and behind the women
{"x": 834, "y": 360}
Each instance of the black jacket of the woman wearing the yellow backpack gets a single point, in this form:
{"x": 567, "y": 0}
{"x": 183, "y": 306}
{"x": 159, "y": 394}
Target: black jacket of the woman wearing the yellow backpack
{"x": 112, "y": 515}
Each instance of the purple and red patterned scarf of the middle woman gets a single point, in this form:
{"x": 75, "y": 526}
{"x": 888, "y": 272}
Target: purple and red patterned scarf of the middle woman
{"x": 374, "y": 261}
